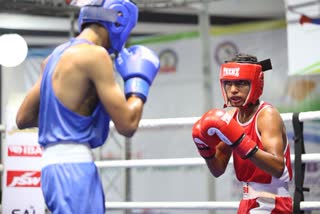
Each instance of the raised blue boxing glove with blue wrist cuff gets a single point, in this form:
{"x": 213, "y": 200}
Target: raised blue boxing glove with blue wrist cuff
{"x": 138, "y": 67}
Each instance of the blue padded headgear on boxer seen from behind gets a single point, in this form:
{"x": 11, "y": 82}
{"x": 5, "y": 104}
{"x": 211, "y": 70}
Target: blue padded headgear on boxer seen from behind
{"x": 119, "y": 17}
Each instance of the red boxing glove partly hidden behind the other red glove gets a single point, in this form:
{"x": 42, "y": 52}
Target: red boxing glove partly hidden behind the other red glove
{"x": 206, "y": 144}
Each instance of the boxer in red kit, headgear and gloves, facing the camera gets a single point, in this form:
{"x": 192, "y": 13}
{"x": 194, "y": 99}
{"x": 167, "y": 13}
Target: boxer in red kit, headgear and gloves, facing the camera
{"x": 253, "y": 132}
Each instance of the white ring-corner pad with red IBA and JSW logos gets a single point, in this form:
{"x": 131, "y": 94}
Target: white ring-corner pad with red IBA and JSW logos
{"x": 21, "y": 182}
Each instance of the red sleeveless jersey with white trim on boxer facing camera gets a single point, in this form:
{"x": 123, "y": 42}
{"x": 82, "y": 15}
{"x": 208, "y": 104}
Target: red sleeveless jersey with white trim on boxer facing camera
{"x": 245, "y": 170}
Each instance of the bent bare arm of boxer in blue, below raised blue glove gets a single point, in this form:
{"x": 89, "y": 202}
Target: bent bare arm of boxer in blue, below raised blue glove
{"x": 125, "y": 114}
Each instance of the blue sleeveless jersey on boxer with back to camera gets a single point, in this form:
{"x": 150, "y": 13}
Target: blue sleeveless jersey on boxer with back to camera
{"x": 57, "y": 123}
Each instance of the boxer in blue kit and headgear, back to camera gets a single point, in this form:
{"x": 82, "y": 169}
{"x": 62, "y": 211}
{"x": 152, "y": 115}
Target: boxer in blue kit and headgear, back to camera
{"x": 76, "y": 96}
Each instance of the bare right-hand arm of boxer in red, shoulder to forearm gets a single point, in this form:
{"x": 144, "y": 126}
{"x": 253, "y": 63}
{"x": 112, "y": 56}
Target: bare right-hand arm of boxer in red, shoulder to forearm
{"x": 274, "y": 140}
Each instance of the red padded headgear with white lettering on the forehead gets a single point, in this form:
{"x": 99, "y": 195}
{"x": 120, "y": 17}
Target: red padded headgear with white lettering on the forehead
{"x": 243, "y": 71}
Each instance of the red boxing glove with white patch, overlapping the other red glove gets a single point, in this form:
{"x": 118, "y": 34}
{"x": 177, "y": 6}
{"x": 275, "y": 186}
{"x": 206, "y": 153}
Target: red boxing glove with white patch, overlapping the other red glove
{"x": 218, "y": 122}
